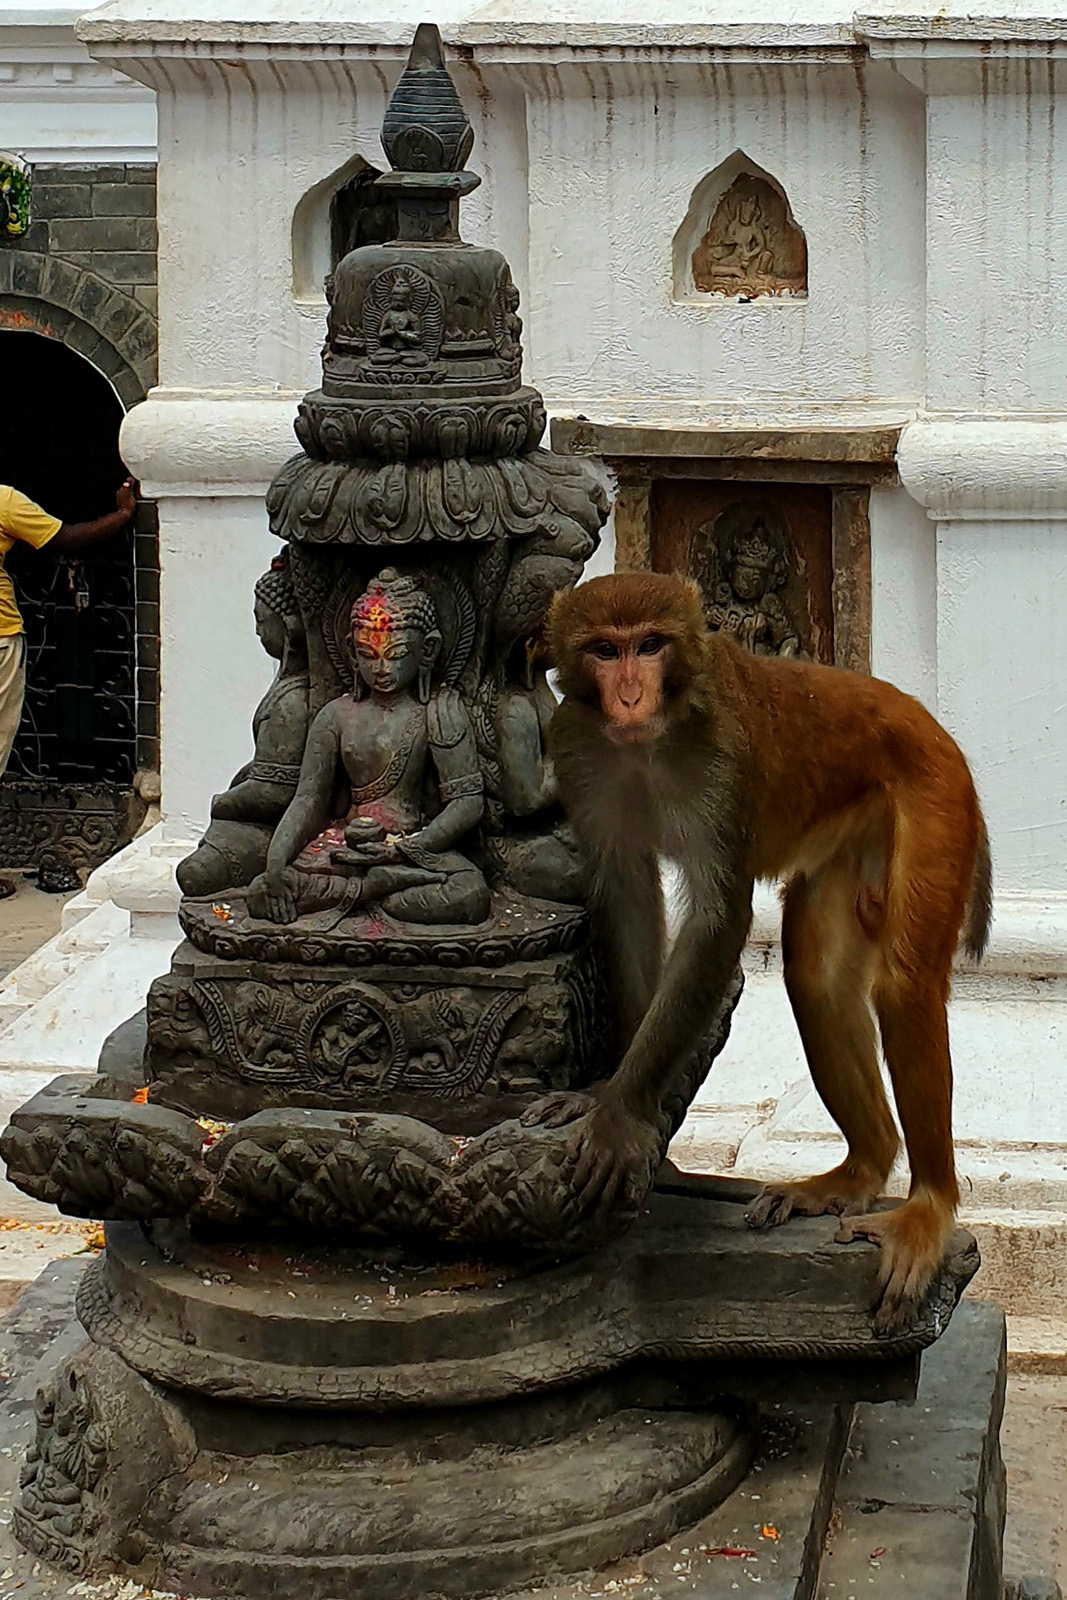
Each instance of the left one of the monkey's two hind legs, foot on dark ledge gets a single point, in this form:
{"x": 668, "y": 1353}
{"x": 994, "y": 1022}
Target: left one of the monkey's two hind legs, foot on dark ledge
{"x": 829, "y": 954}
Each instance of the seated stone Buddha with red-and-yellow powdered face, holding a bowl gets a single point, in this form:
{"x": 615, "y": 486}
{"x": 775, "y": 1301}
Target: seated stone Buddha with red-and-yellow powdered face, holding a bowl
{"x": 406, "y": 759}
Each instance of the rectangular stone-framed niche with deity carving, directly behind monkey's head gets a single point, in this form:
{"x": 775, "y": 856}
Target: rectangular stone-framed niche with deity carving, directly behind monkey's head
{"x": 788, "y": 505}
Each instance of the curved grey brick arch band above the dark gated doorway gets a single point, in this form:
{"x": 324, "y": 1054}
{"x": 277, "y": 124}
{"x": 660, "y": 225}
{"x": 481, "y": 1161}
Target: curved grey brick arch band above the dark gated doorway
{"x": 108, "y": 327}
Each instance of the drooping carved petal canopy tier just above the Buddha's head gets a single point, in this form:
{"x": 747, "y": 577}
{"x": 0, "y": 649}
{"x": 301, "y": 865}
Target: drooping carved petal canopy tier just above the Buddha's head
{"x": 418, "y": 502}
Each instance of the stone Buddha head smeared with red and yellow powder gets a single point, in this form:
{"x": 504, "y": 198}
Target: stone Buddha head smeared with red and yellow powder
{"x": 396, "y": 636}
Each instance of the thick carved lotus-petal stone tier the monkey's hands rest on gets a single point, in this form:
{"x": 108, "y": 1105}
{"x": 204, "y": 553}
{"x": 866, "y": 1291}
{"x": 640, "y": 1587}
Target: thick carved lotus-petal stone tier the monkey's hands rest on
{"x": 89, "y": 1148}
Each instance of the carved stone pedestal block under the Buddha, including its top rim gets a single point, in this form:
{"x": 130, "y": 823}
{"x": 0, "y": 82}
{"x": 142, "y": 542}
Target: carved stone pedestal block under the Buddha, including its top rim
{"x": 378, "y": 1017}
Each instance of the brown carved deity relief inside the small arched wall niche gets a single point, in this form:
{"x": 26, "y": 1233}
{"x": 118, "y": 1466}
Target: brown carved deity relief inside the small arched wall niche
{"x": 753, "y": 246}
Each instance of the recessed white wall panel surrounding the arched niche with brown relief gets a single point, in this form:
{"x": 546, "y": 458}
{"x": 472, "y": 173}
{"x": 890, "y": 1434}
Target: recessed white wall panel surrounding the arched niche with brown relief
{"x": 615, "y": 156}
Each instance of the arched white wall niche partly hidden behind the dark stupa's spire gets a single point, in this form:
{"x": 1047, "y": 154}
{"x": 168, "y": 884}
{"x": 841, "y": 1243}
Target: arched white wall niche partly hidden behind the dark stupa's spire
{"x": 335, "y": 217}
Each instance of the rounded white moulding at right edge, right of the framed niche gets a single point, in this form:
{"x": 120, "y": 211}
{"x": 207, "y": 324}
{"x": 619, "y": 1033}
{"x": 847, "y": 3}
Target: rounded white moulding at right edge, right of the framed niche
{"x": 986, "y": 468}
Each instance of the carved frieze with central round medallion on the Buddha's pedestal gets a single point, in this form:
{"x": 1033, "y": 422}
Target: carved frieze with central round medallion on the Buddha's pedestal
{"x": 338, "y": 1039}
